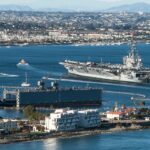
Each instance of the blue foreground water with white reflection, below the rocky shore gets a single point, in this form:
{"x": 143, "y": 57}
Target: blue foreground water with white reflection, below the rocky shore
{"x": 137, "y": 140}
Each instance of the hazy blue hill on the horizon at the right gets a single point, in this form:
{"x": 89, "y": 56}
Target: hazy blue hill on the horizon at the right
{"x": 143, "y": 7}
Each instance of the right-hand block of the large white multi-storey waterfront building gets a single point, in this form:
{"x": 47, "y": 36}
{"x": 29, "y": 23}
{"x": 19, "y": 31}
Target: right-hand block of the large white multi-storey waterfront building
{"x": 89, "y": 118}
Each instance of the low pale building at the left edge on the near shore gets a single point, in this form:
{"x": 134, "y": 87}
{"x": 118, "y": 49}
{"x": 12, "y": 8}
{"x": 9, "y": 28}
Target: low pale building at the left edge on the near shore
{"x": 9, "y": 124}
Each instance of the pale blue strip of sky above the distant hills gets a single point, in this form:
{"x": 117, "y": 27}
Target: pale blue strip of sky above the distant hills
{"x": 72, "y": 4}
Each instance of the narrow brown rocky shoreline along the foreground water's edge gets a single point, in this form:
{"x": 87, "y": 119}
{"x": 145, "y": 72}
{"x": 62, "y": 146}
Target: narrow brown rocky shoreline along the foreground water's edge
{"x": 72, "y": 134}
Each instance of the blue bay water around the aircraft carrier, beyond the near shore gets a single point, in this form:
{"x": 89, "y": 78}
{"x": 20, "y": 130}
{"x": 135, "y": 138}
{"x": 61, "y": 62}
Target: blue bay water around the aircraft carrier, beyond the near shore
{"x": 44, "y": 61}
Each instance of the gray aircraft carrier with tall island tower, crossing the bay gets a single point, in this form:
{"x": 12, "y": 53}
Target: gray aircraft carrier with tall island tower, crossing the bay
{"x": 132, "y": 69}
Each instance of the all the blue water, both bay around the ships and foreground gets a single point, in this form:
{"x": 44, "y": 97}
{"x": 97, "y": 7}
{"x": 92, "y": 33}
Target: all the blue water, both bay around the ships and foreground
{"x": 44, "y": 61}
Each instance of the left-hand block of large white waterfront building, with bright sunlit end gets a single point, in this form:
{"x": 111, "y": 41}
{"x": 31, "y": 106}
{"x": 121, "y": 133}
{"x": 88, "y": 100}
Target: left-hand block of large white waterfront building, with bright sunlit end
{"x": 62, "y": 120}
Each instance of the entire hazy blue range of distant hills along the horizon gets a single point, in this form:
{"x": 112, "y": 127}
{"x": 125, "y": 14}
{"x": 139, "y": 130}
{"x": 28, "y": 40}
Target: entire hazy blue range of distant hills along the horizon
{"x": 136, "y": 7}
